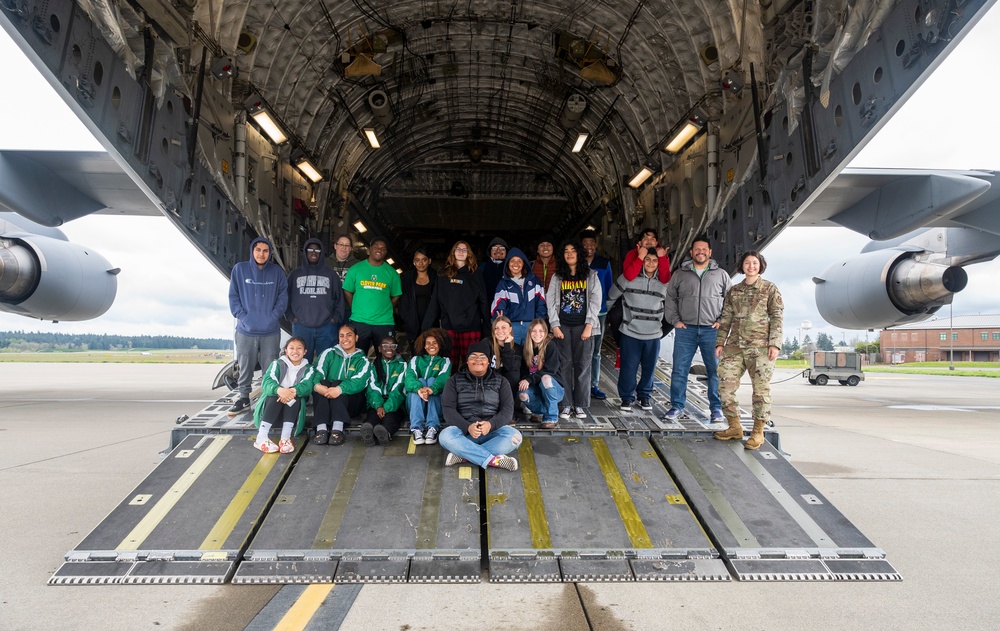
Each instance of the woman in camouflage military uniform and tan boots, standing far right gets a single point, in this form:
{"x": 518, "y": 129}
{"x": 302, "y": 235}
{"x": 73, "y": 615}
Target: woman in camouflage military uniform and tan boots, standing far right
{"x": 749, "y": 341}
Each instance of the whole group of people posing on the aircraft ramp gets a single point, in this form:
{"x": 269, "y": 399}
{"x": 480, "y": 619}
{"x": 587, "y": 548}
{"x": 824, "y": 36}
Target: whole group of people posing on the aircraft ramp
{"x": 487, "y": 340}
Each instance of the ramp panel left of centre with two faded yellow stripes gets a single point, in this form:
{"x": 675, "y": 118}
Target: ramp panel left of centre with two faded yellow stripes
{"x": 353, "y": 513}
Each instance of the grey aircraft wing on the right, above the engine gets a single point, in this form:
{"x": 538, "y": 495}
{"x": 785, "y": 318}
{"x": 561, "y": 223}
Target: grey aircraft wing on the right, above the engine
{"x": 887, "y": 203}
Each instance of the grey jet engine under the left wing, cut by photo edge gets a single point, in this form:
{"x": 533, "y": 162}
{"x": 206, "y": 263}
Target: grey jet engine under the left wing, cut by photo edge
{"x": 49, "y": 279}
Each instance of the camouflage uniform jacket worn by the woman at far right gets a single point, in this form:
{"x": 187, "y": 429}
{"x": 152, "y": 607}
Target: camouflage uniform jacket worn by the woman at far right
{"x": 751, "y": 316}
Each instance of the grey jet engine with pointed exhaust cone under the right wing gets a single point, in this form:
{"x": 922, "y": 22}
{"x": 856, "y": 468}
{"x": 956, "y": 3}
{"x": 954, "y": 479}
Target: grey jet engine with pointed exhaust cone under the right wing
{"x": 885, "y": 288}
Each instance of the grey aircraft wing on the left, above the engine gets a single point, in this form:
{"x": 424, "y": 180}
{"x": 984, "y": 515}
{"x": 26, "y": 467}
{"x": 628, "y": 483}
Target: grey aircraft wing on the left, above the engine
{"x": 54, "y": 187}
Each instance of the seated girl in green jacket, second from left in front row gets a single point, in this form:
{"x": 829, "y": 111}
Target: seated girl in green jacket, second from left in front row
{"x": 340, "y": 382}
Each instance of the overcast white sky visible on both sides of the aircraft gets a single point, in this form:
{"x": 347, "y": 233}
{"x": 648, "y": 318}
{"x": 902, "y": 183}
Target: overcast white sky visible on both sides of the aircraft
{"x": 166, "y": 287}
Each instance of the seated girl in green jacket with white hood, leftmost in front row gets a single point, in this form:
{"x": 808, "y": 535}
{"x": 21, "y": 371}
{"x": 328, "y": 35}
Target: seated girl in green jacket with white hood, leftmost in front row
{"x": 287, "y": 382}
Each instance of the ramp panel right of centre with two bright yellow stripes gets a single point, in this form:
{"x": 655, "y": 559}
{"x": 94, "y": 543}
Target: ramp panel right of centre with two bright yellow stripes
{"x": 593, "y": 508}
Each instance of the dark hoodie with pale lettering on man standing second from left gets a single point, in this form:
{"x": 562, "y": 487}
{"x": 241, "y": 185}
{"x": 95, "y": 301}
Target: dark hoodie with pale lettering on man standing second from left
{"x": 315, "y": 294}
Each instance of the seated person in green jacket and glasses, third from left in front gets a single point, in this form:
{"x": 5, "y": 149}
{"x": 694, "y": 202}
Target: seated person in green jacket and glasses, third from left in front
{"x": 386, "y": 400}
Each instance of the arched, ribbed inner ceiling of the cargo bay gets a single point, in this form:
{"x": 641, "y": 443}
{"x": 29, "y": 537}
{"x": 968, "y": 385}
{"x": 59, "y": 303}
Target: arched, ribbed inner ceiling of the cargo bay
{"x": 482, "y": 102}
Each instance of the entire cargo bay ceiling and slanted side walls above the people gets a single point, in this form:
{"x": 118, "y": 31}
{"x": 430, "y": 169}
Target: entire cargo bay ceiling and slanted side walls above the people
{"x": 478, "y": 107}
